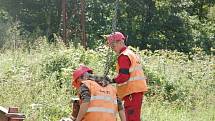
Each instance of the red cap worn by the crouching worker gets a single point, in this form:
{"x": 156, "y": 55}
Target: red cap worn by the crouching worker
{"x": 79, "y": 72}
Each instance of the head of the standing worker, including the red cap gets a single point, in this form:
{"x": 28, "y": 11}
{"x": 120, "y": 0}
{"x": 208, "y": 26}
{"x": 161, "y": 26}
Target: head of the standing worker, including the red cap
{"x": 116, "y": 41}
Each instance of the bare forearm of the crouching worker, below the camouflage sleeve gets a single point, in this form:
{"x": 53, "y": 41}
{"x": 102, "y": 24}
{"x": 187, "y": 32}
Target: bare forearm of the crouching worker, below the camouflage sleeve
{"x": 82, "y": 111}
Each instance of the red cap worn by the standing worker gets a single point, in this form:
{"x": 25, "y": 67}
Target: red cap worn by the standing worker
{"x": 116, "y": 36}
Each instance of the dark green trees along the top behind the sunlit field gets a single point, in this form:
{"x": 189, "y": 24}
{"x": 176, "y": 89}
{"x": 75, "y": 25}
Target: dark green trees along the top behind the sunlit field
{"x": 162, "y": 24}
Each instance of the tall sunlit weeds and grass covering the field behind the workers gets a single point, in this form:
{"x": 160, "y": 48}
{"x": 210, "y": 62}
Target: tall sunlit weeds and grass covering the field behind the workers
{"x": 181, "y": 87}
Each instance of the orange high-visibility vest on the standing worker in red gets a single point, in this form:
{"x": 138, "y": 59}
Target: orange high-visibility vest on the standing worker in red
{"x": 137, "y": 80}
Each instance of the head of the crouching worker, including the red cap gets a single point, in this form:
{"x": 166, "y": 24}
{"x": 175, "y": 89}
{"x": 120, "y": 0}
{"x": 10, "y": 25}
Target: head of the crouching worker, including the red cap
{"x": 78, "y": 75}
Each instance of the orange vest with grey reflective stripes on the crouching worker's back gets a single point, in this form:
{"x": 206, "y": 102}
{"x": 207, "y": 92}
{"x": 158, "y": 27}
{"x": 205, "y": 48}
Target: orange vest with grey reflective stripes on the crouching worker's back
{"x": 103, "y": 102}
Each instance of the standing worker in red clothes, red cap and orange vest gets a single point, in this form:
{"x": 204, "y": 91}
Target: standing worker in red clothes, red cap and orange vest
{"x": 131, "y": 82}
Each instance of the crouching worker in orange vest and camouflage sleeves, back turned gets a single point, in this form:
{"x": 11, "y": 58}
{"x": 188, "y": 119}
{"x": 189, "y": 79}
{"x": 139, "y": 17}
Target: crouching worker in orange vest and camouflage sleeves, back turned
{"x": 98, "y": 100}
